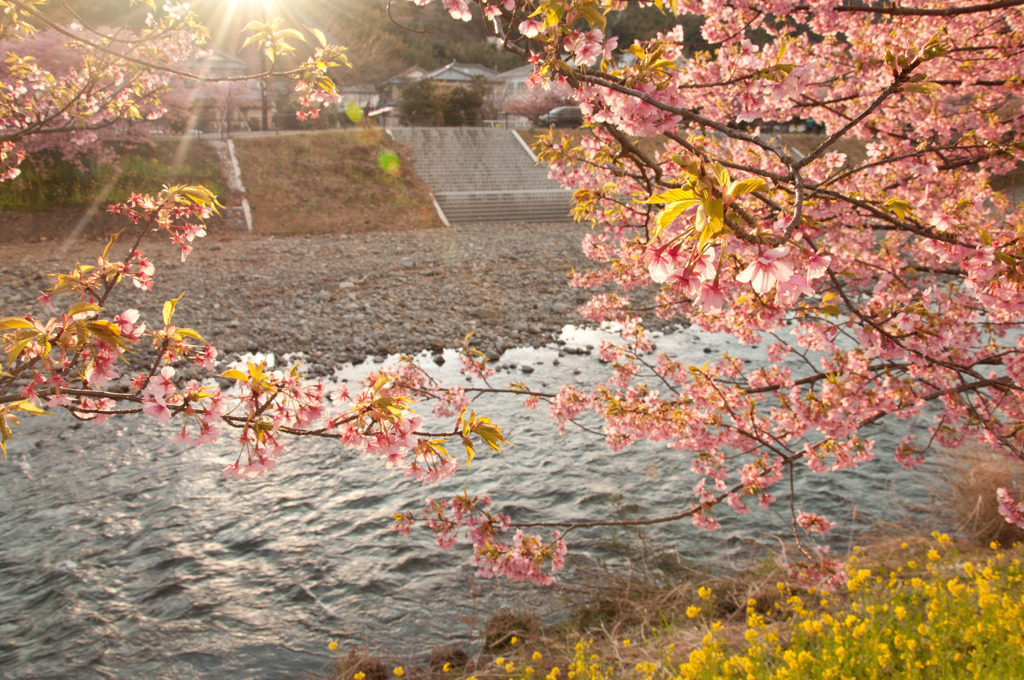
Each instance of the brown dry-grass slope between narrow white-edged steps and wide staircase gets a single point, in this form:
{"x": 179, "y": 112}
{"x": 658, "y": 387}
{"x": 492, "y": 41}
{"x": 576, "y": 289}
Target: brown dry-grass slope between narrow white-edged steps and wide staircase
{"x": 332, "y": 183}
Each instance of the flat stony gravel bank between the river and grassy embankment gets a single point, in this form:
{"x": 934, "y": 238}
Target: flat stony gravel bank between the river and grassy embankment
{"x": 340, "y": 299}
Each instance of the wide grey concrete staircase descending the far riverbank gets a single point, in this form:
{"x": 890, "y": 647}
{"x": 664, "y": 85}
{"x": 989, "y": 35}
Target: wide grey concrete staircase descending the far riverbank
{"x": 484, "y": 176}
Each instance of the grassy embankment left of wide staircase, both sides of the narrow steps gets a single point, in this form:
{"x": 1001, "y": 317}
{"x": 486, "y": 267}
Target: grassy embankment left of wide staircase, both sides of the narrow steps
{"x": 327, "y": 183}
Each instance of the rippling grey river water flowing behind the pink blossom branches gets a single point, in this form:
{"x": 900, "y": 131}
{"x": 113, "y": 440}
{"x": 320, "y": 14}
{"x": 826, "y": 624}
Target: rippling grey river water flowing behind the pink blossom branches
{"x": 125, "y": 556}
